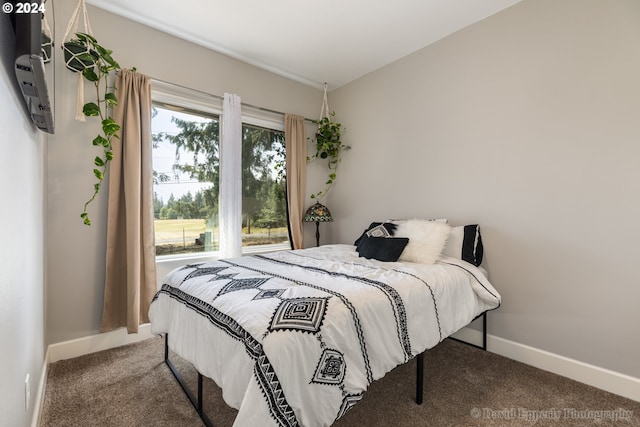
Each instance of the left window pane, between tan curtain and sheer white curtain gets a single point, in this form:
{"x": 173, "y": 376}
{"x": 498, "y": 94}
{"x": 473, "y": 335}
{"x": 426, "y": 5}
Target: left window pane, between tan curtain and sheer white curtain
{"x": 185, "y": 168}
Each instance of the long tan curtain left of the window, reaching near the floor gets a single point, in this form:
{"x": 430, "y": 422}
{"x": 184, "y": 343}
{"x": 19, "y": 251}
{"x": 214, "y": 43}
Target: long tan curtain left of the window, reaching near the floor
{"x": 130, "y": 281}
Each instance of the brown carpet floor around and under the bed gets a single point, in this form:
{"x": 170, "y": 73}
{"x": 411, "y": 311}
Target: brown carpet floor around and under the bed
{"x": 464, "y": 386}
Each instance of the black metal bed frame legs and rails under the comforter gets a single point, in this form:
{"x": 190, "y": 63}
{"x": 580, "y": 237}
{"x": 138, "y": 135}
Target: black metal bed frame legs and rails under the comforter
{"x": 196, "y": 401}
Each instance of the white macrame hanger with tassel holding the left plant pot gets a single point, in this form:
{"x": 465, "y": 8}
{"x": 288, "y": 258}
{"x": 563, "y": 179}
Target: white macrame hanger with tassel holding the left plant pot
{"x": 73, "y": 60}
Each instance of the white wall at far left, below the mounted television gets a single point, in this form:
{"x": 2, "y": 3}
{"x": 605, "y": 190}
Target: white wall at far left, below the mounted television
{"x": 22, "y": 241}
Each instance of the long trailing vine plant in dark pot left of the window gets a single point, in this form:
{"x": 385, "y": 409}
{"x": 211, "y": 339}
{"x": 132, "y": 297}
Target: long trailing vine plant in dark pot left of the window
{"x": 85, "y": 55}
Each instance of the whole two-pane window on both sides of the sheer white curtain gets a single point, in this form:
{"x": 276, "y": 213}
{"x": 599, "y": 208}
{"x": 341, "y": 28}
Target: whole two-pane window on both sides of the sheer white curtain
{"x": 186, "y": 162}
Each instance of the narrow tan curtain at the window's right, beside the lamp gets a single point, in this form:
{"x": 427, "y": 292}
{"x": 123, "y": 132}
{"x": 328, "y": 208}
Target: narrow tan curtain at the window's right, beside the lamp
{"x": 296, "y": 146}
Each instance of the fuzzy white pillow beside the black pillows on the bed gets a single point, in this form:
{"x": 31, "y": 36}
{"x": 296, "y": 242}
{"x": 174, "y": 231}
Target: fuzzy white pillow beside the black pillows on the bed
{"x": 426, "y": 240}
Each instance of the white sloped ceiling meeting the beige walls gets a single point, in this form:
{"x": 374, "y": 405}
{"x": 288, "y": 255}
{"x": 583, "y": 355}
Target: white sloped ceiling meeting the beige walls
{"x": 310, "y": 41}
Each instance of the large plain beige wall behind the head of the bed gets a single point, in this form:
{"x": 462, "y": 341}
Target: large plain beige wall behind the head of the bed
{"x": 528, "y": 123}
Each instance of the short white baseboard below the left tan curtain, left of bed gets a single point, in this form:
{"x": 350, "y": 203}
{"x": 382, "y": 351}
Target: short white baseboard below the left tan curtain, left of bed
{"x": 91, "y": 344}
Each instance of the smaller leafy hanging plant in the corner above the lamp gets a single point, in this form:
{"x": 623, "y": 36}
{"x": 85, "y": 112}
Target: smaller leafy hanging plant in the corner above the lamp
{"x": 328, "y": 145}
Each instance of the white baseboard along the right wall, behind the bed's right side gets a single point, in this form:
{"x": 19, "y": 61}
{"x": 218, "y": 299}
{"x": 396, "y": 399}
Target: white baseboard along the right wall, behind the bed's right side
{"x": 604, "y": 379}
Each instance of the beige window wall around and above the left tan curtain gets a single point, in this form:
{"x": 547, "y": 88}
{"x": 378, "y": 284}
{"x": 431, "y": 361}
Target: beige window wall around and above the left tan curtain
{"x": 76, "y": 252}
